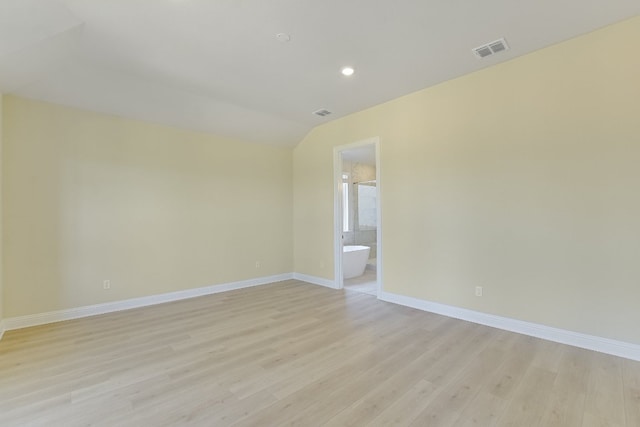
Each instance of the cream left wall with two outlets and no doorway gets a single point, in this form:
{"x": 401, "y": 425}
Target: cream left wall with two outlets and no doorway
{"x": 153, "y": 209}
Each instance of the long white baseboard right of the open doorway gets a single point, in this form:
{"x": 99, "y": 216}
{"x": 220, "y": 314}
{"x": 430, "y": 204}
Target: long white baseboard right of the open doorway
{"x": 589, "y": 342}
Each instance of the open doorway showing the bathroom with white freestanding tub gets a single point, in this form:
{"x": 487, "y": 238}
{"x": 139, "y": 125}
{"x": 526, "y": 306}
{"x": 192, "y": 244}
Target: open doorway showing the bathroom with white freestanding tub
{"x": 357, "y": 217}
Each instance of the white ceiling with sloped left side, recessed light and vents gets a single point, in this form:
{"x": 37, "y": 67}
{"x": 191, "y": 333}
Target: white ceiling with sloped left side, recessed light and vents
{"x": 216, "y": 65}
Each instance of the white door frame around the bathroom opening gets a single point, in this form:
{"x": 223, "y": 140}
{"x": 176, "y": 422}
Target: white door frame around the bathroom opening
{"x": 337, "y": 211}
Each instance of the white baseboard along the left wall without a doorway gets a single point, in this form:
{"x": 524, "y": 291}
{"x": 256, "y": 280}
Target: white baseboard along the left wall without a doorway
{"x": 20, "y": 322}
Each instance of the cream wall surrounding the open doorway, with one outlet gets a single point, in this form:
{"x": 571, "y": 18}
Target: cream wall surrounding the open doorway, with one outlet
{"x": 521, "y": 178}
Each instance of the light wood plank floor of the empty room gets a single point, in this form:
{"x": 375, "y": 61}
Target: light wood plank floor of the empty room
{"x": 297, "y": 354}
